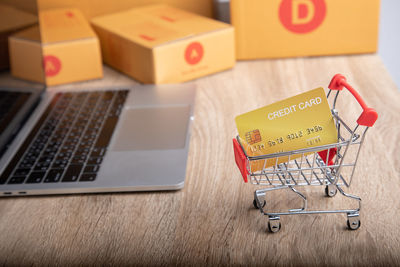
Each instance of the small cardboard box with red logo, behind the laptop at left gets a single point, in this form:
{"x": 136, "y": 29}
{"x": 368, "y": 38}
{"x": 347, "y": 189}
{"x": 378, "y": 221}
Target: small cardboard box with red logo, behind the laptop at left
{"x": 66, "y": 49}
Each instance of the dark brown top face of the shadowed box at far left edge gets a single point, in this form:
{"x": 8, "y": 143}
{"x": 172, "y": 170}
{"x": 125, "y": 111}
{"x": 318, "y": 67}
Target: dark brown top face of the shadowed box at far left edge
{"x": 13, "y": 19}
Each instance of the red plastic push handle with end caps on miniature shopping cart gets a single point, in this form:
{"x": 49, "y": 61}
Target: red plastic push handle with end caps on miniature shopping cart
{"x": 369, "y": 116}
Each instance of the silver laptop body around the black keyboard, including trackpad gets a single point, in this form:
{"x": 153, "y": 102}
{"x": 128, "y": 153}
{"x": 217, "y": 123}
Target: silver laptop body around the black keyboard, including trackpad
{"x": 147, "y": 151}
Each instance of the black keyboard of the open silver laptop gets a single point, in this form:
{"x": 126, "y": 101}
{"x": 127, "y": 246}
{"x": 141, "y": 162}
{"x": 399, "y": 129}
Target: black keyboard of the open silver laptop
{"x": 69, "y": 141}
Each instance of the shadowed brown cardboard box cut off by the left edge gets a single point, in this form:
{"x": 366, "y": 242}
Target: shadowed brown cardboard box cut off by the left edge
{"x": 11, "y": 21}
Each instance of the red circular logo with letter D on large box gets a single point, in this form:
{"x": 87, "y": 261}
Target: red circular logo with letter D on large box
{"x": 302, "y": 16}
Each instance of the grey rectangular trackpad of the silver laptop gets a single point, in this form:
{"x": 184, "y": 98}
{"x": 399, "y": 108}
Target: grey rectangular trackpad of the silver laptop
{"x": 152, "y": 128}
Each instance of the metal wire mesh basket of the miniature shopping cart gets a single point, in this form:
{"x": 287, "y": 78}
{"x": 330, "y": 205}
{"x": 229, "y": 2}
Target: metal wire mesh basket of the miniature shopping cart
{"x": 307, "y": 167}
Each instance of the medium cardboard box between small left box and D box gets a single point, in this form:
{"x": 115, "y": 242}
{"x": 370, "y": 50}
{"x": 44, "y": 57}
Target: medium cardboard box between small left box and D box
{"x": 162, "y": 44}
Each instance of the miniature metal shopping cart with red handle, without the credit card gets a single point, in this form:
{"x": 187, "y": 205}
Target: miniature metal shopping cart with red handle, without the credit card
{"x": 329, "y": 165}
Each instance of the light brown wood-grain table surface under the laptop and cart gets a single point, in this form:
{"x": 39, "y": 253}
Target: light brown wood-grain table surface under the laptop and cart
{"x": 211, "y": 221}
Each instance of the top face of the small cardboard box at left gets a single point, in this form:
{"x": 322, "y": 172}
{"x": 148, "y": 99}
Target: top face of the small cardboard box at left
{"x": 64, "y": 24}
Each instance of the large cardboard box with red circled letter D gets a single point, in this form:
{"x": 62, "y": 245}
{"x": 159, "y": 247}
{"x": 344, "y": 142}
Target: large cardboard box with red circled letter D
{"x": 290, "y": 28}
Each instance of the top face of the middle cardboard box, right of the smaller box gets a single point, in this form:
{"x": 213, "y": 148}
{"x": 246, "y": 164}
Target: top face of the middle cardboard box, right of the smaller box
{"x": 156, "y": 24}
